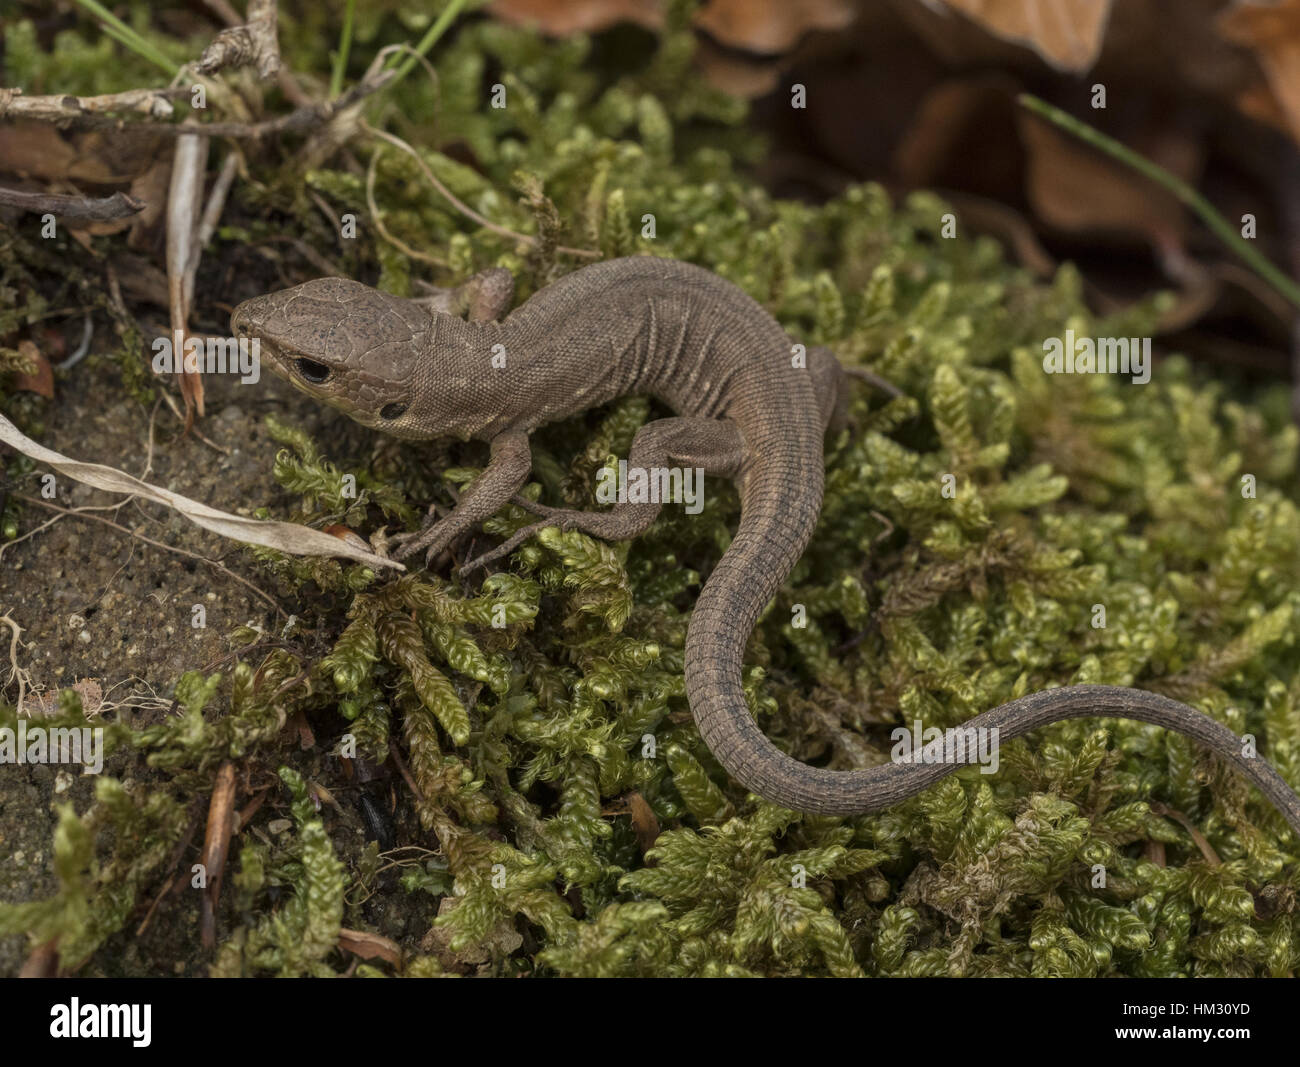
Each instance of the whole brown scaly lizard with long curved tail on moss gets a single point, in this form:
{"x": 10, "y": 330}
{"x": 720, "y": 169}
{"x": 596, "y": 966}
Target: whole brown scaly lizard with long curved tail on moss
{"x": 746, "y": 411}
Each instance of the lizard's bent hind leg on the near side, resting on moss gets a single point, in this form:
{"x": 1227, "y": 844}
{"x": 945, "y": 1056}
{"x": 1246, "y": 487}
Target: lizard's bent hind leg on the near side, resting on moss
{"x": 712, "y": 445}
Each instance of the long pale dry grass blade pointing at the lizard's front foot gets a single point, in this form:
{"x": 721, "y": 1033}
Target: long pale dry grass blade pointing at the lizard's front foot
{"x": 288, "y": 537}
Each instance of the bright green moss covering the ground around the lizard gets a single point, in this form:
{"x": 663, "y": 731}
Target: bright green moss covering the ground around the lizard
{"x": 543, "y": 715}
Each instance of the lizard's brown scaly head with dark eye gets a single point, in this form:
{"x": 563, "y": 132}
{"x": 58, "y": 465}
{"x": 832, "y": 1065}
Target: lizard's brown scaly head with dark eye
{"x": 344, "y": 344}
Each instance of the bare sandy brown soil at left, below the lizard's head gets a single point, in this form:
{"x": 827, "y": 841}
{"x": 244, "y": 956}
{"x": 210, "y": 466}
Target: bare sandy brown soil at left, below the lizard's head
{"x": 97, "y": 604}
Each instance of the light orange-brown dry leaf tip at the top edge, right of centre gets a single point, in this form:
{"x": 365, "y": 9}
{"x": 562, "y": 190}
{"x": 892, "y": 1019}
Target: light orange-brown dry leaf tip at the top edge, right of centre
{"x": 1065, "y": 33}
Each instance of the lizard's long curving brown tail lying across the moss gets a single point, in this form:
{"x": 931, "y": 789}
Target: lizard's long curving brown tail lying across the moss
{"x": 768, "y": 544}
